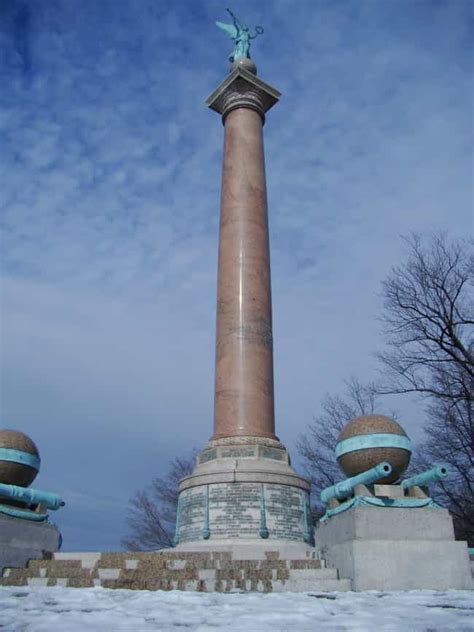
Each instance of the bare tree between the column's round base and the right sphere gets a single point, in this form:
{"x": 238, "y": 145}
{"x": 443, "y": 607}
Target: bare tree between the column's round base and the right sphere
{"x": 316, "y": 447}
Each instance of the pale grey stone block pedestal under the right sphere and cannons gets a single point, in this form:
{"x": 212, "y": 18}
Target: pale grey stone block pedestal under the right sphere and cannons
{"x": 395, "y": 549}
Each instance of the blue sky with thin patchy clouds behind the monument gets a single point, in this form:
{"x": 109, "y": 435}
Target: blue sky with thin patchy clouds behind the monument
{"x": 110, "y": 179}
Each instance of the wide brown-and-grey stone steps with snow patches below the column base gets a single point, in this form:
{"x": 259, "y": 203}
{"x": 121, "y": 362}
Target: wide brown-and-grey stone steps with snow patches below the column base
{"x": 168, "y": 570}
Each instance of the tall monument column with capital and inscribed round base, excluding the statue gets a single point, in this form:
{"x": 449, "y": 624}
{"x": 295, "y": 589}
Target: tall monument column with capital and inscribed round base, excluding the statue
{"x": 243, "y": 489}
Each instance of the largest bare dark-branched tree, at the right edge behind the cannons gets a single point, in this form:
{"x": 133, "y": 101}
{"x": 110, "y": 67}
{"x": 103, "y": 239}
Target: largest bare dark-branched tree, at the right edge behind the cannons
{"x": 429, "y": 319}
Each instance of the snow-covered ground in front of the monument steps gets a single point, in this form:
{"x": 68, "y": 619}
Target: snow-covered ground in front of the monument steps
{"x": 99, "y": 609}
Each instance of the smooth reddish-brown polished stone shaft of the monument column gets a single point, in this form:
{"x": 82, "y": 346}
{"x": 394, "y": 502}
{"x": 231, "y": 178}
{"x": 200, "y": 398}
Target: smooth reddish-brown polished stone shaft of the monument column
{"x": 244, "y": 403}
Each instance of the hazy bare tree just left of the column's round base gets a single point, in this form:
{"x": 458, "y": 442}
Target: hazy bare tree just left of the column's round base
{"x": 152, "y": 512}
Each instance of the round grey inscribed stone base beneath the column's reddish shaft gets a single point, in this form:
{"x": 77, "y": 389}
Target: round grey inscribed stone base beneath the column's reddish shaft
{"x": 244, "y": 490}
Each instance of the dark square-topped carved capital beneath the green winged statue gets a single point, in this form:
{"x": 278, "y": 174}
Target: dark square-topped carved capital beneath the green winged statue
{"x": 242, "y": 89}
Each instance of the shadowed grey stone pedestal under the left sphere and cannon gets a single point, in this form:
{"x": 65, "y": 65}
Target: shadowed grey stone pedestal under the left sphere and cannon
{"x": 24, "y": 540}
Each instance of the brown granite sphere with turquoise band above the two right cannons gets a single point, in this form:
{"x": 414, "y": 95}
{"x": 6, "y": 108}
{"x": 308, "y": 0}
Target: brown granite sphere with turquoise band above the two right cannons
{"x": 368, "y": 440}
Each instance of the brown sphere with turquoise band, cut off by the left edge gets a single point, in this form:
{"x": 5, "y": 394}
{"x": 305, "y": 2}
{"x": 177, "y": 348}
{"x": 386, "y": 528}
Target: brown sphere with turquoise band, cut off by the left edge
{"x": 19, "y": 458}
